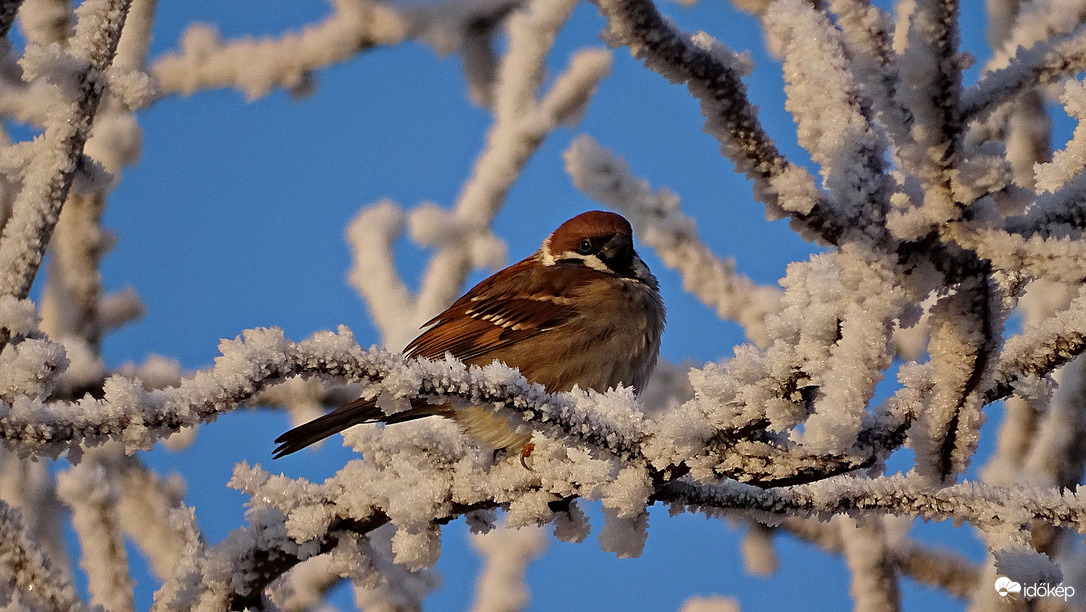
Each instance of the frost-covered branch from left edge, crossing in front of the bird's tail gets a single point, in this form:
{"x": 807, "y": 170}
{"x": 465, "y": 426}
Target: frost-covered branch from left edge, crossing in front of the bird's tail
{"x": 128, "y": 413}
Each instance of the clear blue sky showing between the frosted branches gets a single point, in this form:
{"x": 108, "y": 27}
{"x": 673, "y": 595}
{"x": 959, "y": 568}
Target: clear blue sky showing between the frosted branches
{"x": 235, "y": 215}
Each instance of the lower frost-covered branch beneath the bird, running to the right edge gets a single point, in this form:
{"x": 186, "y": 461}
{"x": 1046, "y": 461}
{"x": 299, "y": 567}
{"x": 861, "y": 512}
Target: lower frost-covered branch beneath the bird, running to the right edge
{"x": 295, "y": 520}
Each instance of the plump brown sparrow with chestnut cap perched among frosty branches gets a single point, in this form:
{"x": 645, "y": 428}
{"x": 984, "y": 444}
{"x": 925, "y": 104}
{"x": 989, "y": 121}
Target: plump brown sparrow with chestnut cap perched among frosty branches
{"x": 583, "y": 311}
